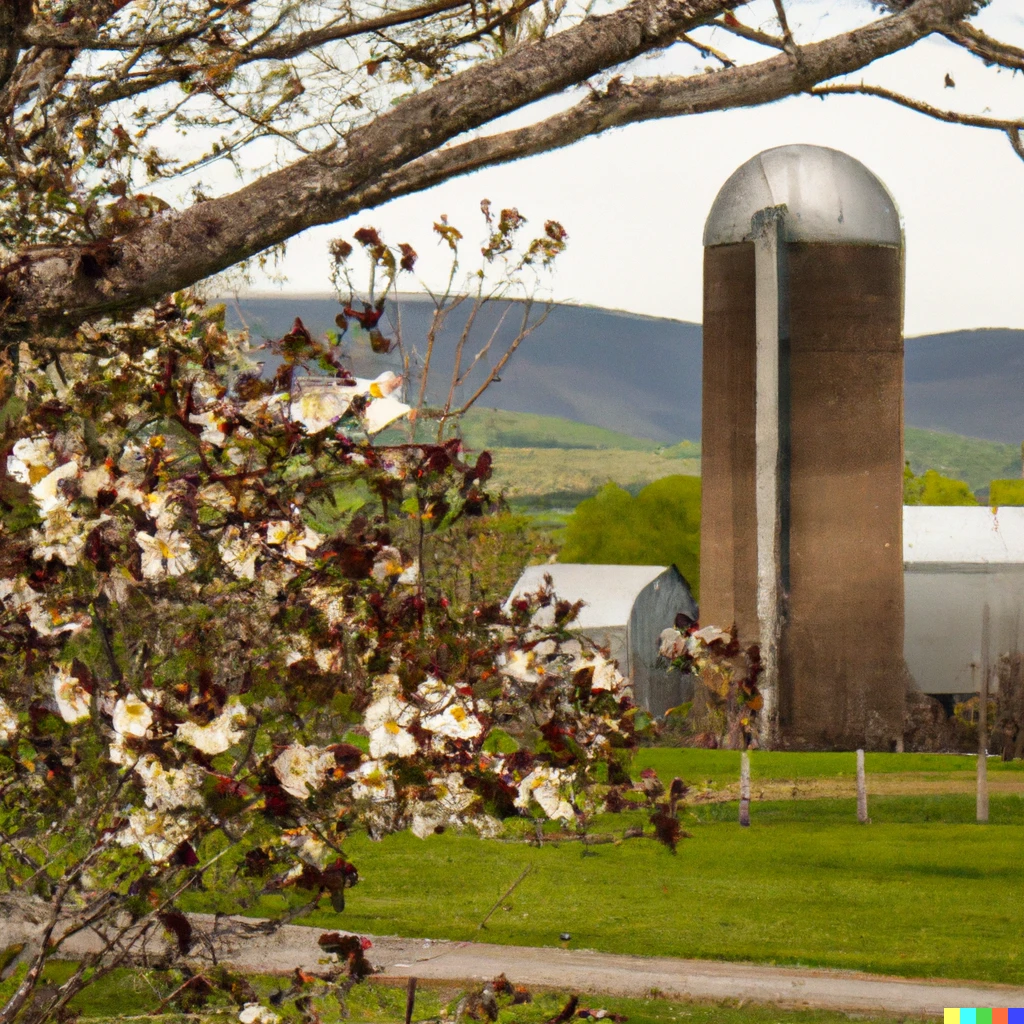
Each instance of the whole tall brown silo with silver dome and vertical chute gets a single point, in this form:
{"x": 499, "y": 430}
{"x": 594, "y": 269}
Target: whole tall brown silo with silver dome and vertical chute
{"x": 803, "y": 442}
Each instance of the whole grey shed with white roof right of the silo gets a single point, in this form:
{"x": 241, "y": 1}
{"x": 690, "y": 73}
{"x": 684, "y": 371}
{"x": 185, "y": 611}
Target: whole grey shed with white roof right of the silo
{"x": 956, "y": 562}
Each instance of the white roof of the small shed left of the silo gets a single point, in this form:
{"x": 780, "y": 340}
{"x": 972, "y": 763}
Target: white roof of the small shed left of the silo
{"x": 609, "y": 590}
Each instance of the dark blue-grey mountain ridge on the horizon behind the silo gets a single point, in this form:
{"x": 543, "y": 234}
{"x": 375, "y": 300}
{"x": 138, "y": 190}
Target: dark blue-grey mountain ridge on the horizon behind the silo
{"x": 642, "y": 376}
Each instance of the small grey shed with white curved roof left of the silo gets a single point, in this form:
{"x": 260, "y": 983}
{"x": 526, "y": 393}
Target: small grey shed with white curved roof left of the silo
{"x": 626, "y": 609}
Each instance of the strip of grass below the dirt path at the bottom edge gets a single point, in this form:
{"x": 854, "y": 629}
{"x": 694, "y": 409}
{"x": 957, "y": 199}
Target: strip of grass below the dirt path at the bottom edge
{"x": 132, "y": 994}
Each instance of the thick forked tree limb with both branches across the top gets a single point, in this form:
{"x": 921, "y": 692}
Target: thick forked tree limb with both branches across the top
{"x": 400, "y": 151}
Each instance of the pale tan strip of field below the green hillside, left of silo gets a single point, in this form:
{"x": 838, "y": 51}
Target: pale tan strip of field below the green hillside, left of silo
{"x": 563, "y": 478}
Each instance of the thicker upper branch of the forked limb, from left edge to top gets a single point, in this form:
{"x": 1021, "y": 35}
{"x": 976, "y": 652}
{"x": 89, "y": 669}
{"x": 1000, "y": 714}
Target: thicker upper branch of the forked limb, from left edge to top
{"x": 174, "y": 251}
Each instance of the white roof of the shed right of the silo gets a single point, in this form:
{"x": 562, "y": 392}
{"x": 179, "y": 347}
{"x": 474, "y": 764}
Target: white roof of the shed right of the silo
{"x": 963, "y": 535}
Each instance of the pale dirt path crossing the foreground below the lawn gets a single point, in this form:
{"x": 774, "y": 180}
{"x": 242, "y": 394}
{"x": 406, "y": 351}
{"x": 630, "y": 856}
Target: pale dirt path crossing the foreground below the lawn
{"x": 235, "y": 944}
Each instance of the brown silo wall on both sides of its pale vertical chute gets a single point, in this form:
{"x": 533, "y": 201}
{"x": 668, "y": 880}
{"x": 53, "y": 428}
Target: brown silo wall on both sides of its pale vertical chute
{"x": 841, "y": 673}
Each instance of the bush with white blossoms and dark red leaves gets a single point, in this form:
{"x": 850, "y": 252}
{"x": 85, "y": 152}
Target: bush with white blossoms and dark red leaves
{"x": 219, "y": 656}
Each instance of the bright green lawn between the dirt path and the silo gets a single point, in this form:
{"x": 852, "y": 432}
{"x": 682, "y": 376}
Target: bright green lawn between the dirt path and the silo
{"x": 804, "y": 885}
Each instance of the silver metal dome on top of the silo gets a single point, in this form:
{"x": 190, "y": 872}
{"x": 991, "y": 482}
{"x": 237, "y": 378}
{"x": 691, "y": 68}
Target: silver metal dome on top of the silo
{"x": 829, "y": 196}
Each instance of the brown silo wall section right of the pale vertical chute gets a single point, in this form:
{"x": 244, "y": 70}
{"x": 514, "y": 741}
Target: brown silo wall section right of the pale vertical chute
{"x": 841, "y": 657}
